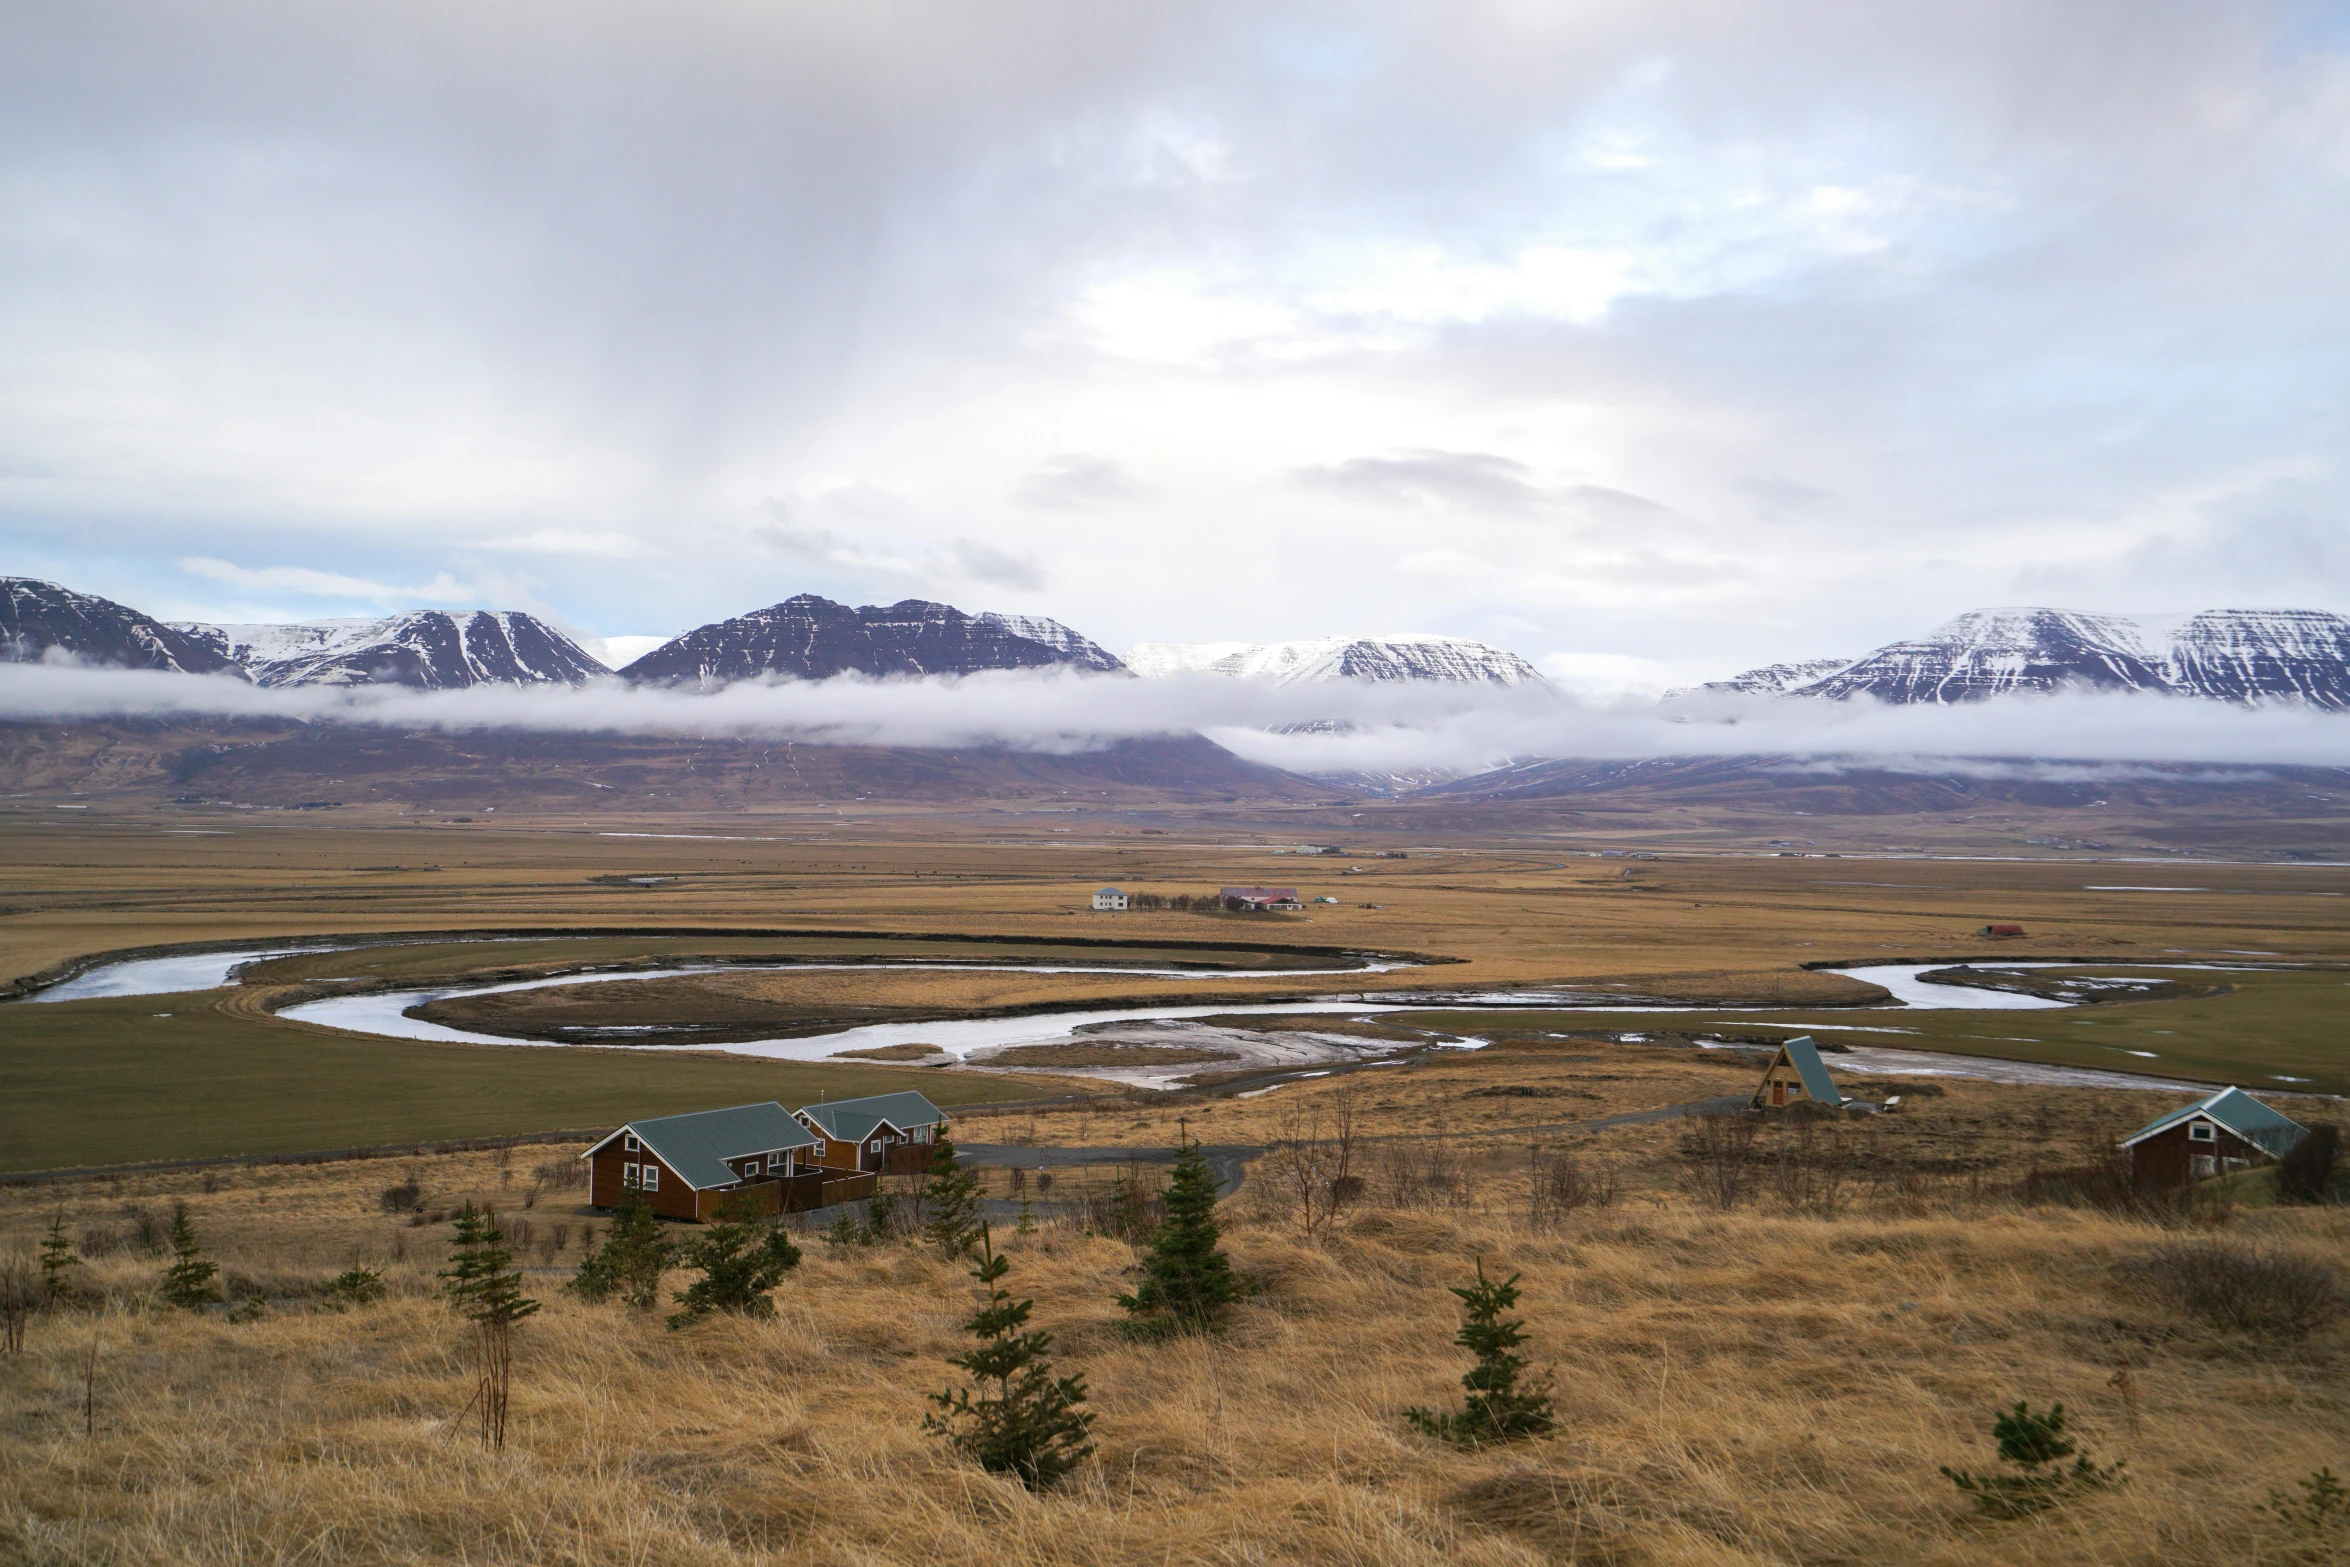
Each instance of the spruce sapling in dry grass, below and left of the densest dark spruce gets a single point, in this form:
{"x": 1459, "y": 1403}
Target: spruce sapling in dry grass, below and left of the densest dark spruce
{"x": 1019, "y": 1420}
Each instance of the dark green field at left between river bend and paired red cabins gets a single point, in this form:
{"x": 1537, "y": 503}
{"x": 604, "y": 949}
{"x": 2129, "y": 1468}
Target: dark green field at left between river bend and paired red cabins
{"x": 168, "y": 1077}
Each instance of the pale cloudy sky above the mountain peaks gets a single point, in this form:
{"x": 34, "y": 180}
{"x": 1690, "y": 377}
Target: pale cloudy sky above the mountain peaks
{"x": 1646, "y": 339}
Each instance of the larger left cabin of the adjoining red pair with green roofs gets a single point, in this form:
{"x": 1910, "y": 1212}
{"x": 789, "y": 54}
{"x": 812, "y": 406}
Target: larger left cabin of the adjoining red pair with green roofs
{"x": 692, "y": 1166}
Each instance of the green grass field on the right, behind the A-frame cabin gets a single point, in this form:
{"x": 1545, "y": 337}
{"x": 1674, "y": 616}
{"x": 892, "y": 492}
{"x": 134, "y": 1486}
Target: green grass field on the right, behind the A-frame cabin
{"x": 2274, "y": 1030}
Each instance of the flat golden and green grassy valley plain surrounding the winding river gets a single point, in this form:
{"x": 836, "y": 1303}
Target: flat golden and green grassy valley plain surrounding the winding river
{"x": 114, "y": 1084}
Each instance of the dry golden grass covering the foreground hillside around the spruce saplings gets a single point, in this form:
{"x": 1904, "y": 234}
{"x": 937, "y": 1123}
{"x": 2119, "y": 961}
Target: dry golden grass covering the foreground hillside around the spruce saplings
{"x": 1747, "y": 1387}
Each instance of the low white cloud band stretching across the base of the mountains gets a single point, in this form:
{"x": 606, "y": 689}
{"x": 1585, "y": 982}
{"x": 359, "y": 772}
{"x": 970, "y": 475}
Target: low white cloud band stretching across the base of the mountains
{"x": 1310, "y": 729}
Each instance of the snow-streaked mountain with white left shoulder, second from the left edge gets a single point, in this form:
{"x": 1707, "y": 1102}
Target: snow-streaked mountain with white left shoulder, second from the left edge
{"x": 427, "y": 650}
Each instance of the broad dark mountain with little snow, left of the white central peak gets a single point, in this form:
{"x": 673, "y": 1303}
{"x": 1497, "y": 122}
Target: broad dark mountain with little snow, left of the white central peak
{"x": 810, "y": 638}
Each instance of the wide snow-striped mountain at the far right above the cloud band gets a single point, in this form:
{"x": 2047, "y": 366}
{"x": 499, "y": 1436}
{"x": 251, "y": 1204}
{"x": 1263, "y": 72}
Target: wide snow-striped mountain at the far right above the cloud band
{"x": 2229, "y": 654}
